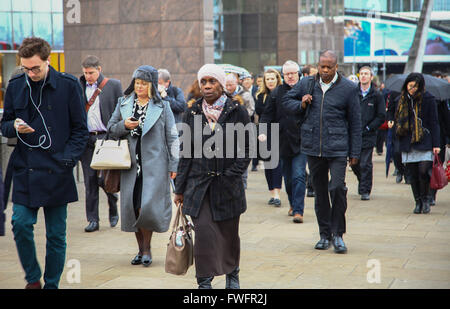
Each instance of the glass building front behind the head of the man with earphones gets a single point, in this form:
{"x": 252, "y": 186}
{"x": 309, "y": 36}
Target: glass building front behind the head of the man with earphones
{"x": 24, "y": 18}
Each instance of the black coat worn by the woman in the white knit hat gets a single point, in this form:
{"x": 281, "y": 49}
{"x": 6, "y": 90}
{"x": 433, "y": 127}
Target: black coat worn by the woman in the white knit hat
{"x": 222, "y": 175}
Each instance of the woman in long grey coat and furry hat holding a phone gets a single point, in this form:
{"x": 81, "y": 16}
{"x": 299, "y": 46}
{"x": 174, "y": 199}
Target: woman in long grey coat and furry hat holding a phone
{"x": 147, "y": 122}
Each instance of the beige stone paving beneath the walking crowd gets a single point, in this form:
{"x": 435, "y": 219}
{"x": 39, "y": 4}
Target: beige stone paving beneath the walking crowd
{"x": 410, "y": 251}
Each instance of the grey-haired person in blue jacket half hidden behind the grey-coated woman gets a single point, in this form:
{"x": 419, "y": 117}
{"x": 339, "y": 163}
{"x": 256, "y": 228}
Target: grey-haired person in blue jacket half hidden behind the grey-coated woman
{"x": 172, "y": 94}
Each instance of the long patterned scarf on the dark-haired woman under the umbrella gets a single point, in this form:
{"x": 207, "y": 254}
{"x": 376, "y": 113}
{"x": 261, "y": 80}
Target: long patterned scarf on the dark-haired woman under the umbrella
{"x": 407, "y": 124}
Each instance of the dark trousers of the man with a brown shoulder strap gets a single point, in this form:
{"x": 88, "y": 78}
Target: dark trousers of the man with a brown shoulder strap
{"x": 92, "y": 183}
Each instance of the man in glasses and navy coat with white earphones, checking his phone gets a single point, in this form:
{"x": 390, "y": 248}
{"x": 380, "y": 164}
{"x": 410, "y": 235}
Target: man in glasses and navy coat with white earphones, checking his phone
{"x": 45, "y": 110}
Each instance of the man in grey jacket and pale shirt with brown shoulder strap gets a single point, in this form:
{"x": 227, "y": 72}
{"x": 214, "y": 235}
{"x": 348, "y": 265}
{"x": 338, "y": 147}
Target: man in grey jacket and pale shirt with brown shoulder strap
{"x": 100, "y": 95}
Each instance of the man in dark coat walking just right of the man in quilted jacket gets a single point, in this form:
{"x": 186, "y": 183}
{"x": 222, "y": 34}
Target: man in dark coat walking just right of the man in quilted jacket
{"x": 373, "y": 114}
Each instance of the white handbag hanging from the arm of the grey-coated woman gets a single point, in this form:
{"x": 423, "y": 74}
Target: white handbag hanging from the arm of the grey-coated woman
{"x": 111, "y": 155}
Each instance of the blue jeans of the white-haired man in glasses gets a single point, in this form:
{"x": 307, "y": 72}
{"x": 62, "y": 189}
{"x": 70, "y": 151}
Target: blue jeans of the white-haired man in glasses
{"x": 294, "y": 172}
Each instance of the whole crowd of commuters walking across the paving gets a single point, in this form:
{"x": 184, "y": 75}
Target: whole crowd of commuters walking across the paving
{"x": 316, "y": 121}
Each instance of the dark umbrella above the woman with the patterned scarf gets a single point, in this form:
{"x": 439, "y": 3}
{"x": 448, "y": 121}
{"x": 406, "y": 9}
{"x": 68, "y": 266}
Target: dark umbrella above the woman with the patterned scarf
{"x": 439, "y": 88}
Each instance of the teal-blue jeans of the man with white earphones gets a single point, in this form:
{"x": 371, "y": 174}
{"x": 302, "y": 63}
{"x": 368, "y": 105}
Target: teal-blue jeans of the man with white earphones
{"x": 23, "y": 219}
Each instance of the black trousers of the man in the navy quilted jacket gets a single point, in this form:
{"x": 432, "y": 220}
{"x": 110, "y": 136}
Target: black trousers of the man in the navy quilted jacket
{"x": 330, "y": 202}
